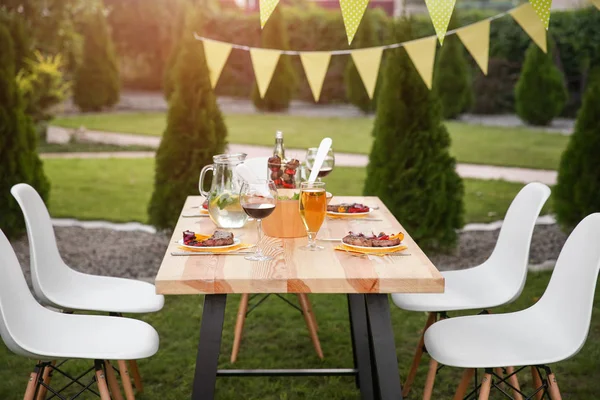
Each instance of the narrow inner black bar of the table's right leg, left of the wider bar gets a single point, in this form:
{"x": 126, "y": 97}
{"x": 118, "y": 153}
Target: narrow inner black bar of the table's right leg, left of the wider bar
{"x": 360, "y": 344}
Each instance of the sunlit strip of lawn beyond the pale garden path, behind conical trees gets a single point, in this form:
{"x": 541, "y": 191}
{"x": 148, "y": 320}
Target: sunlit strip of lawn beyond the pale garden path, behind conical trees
{"x": 470, "y": 143}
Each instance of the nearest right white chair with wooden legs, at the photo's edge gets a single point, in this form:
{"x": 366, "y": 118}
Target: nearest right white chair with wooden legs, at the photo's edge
{"x": 552, "y": 330}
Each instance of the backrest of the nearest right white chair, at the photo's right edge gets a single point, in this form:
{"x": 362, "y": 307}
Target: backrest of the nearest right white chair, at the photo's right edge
{"x": 569, "y": 297}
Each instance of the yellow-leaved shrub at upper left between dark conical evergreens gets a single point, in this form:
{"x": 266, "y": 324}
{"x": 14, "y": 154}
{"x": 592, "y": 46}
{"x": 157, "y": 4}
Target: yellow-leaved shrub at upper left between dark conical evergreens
{"x": 42, "y": 85}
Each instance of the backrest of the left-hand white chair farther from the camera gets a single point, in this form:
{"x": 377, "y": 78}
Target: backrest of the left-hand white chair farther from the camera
{"x": 47, "y": 267}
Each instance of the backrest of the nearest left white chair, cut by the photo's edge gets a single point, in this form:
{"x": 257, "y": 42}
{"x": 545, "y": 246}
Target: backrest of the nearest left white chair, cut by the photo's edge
{"x": 18, "y": 308}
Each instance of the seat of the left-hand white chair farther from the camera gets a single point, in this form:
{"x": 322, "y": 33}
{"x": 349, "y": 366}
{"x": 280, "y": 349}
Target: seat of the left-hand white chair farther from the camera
{"x": 105, "y": 294}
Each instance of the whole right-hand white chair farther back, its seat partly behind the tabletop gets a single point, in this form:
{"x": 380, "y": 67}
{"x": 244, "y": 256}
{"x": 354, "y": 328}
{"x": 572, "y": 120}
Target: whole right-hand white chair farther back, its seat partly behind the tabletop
{"x": 499, "y": 280}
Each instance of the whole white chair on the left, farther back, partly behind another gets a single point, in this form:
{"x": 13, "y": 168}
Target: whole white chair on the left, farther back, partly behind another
{"x": 57, "y": 285}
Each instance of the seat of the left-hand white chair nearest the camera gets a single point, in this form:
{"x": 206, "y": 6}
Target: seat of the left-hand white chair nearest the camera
{"x": 54, "y": 336}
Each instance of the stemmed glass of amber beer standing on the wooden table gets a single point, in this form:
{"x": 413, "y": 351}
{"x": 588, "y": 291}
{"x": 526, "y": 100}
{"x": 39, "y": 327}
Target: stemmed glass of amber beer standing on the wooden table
{"x": 313, "y": 208}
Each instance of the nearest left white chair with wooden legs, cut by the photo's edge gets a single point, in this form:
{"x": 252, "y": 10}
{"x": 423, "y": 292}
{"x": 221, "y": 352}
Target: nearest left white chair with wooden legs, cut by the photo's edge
{"x": 31, "y": 330}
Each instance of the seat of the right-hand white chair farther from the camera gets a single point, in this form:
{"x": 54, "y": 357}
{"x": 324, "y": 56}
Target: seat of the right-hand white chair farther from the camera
{"x": 469, "y": 289}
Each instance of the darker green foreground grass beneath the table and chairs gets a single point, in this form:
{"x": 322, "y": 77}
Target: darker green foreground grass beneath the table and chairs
{"x": 275, "y": 337}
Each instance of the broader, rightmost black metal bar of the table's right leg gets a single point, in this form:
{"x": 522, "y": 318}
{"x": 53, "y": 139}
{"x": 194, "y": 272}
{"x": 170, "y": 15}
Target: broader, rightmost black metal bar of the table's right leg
{"x": 385, "y": 362}
